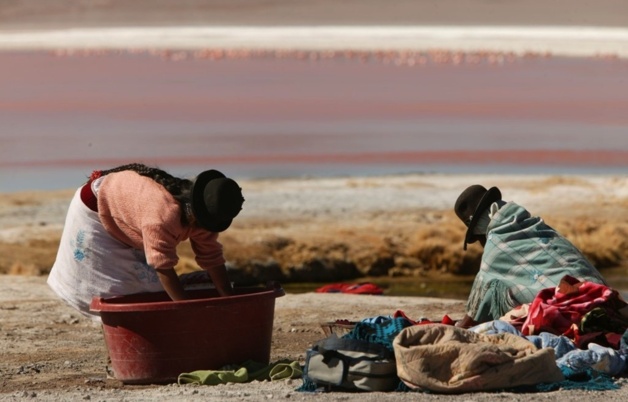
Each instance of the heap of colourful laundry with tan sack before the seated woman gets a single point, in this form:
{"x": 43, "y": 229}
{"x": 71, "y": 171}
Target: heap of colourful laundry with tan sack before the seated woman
{"x": 573, "y": 336}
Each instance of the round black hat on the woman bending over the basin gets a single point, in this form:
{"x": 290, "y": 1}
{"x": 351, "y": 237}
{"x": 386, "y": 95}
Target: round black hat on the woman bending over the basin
{"x": 216, "y": 200}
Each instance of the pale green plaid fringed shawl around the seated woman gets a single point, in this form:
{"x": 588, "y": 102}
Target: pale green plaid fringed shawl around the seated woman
{"x": 522, "y": 256}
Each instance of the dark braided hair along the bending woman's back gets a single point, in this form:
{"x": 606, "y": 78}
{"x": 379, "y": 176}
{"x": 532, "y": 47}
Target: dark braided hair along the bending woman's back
{"x": 181, "y": 189}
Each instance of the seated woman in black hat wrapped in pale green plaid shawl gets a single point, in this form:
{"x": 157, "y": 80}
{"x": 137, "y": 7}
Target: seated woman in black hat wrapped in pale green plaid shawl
{"x": 522, "y": 255}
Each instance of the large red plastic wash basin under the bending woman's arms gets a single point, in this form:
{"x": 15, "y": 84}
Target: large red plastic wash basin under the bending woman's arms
{"x": 152, "y": 339}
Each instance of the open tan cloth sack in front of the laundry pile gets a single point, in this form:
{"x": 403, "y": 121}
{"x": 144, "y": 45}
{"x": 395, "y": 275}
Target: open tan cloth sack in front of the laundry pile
{"x": 448, "y": 359}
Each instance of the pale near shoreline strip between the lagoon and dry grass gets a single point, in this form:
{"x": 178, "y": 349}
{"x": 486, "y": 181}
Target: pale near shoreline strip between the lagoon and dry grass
{"x": 337, "y": 198}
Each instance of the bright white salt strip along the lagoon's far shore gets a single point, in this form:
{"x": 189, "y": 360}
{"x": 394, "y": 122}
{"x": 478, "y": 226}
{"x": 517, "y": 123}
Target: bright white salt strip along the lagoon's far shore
{"x": 573, "y": 41}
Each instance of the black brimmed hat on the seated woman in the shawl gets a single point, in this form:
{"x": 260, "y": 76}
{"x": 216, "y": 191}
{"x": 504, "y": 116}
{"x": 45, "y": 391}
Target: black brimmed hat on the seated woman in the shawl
{"x": 470, "y": 204}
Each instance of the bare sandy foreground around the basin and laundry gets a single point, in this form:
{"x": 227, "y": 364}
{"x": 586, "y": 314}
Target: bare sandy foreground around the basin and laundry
{"x": 50, "y": 353}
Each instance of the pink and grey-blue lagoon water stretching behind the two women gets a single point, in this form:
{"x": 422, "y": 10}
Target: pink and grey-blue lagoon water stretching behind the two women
{"x": 62, "y": 116}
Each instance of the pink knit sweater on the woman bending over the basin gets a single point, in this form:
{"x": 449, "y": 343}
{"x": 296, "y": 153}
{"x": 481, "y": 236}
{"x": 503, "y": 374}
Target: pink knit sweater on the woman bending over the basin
{"x": 142, "y": 214}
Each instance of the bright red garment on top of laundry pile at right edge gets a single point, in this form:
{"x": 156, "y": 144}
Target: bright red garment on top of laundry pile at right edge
{"x": 557, "y": 310}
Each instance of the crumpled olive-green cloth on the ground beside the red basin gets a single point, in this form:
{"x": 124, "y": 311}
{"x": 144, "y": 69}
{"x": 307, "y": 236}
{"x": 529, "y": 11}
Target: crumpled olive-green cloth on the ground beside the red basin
{"x": 246, "y": 372}
